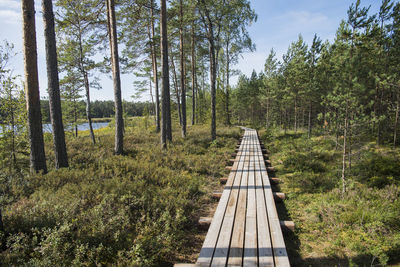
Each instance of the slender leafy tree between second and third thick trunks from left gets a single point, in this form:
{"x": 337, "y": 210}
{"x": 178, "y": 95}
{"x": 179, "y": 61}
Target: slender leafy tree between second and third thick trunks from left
{"x": 78, "y": 25}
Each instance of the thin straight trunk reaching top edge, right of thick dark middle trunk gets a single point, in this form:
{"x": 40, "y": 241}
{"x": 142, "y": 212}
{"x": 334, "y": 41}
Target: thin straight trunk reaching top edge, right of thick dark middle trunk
{"x": 182, "y": 69}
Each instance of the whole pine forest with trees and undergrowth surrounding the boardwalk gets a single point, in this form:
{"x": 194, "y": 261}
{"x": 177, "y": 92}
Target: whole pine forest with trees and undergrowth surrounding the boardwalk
{"x": 131, "y": 193}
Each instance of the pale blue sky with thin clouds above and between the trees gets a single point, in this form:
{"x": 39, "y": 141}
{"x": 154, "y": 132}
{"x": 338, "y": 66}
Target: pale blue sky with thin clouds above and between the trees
{"x": 279, "y": 23}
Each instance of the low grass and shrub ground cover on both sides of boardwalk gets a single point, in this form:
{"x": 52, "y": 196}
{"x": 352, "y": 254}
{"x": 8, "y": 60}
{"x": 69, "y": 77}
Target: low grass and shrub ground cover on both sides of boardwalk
{"x": 141, "y": 209}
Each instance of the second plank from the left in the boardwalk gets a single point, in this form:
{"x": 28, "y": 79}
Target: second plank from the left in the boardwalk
{"x": 222, "y": 248}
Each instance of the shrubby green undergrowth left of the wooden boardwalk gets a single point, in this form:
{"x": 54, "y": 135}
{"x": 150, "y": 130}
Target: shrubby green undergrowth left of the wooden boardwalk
{"x": 139, "y": 209}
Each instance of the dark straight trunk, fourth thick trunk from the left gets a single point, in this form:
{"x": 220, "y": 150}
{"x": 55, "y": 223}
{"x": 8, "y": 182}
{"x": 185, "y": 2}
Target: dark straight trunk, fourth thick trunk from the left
{"x": 166, "y": 133}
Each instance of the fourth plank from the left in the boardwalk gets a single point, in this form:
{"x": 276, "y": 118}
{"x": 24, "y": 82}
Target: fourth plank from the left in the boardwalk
{"x": 250, "y": 246}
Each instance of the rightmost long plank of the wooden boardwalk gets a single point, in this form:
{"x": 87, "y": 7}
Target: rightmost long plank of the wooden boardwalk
{"x": 278, "y": 243}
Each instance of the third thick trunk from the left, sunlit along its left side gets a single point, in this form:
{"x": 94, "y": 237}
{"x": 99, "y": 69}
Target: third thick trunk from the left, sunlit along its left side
{"x": 119, "y": 121}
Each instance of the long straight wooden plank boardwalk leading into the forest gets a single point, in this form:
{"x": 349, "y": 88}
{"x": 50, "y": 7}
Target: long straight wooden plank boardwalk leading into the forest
{"x": 245, "y": 229}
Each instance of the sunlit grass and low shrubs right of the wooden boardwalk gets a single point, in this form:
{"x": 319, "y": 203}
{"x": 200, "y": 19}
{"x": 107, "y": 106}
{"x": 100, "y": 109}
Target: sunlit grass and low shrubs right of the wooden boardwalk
{"x": 359, "y": 228}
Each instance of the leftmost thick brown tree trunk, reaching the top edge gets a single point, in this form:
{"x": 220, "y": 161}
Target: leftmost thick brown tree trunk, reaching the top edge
{"x": 35, "y": 130}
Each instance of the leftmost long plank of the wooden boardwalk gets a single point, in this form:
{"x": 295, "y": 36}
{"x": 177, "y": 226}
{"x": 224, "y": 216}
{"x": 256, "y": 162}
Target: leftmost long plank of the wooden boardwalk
{"x": 208, "y": 248}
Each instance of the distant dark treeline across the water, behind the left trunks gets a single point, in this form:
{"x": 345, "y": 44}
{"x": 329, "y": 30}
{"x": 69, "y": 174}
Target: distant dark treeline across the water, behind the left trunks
{"x": 103, "y": 109}
